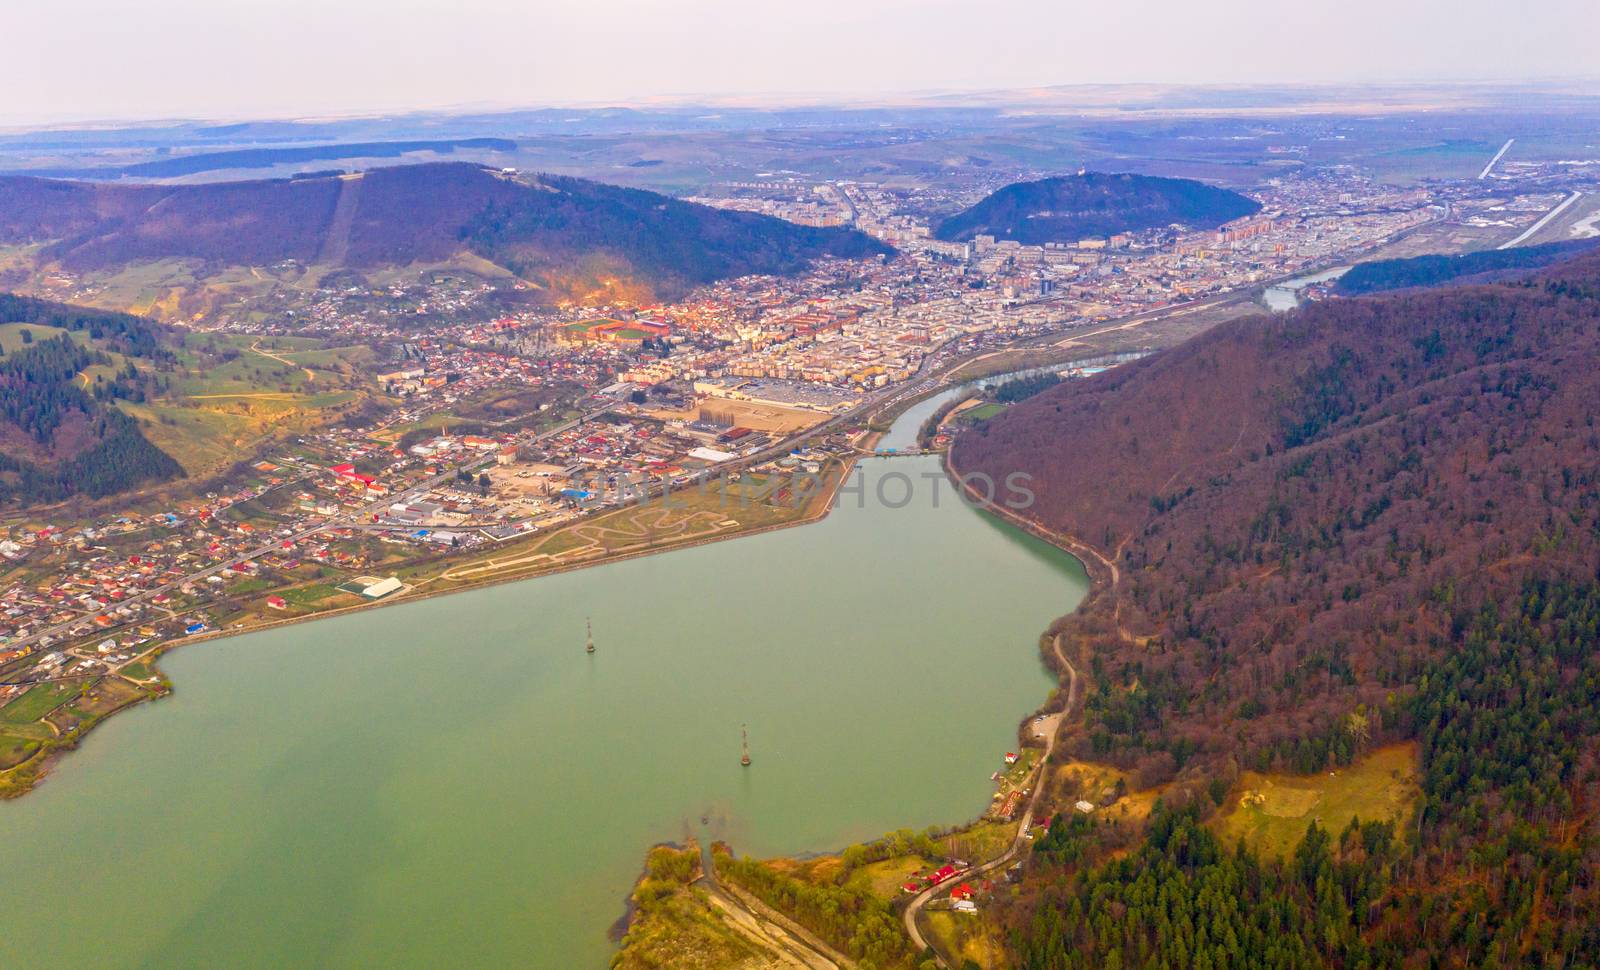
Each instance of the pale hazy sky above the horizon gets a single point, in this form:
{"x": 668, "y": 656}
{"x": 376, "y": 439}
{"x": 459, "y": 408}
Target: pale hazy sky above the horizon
{"x": 73, "y": 60}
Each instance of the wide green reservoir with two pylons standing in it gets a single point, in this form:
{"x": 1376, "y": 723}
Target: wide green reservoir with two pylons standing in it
{"x": 455, "y": 782}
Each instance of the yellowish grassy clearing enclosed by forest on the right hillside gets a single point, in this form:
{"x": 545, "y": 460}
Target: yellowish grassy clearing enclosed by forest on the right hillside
{"x": 1274, "y": 811}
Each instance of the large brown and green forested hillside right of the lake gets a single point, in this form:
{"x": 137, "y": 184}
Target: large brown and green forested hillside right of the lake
{"x": 1366, "y": 521}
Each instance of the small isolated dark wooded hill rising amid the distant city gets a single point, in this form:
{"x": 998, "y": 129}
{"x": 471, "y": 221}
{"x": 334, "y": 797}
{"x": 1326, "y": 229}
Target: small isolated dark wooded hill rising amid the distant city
{"x": 1095, "y": 204}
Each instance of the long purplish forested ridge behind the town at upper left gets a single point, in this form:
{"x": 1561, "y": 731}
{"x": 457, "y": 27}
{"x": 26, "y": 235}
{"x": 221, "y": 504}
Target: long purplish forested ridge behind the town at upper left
{"x": 561, "y": 233}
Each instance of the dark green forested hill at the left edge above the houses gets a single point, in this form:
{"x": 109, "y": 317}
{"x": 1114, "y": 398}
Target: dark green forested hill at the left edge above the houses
{"x": 60, "y": 435}
